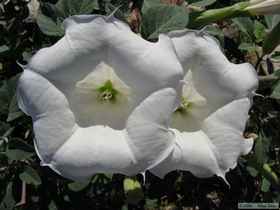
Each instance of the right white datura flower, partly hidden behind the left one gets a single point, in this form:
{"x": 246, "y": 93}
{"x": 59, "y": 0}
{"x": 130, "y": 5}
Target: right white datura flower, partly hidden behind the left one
{"x": 209, "y": 122}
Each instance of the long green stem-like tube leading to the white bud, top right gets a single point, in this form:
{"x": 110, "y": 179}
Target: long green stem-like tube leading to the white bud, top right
{"x": 199, "y": 19}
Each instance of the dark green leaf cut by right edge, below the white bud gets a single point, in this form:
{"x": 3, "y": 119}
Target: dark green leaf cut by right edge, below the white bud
{"x": 272, "y": 40}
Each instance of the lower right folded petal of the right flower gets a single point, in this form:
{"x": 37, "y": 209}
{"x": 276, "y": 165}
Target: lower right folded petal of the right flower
{"x": 225, "y": 128}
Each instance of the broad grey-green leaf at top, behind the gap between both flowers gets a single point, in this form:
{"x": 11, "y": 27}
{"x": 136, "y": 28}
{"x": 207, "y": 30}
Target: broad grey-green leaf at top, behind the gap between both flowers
{"x": 163, "y": 18}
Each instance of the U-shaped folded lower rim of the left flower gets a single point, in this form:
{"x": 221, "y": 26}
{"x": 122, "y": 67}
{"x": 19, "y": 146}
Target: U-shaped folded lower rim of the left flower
{"x": 78, "y": 153}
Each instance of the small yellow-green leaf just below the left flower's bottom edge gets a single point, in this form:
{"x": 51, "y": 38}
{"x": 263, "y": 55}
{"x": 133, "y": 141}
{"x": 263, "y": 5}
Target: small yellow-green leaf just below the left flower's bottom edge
{"x": 133, "y": 190}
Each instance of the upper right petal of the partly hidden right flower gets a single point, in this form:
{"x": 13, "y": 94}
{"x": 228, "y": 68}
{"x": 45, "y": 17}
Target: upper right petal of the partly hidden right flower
{"x": 214, "y": 77}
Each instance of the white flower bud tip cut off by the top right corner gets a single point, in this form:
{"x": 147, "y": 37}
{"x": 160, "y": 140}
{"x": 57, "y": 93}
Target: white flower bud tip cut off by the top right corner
{"x": 263, "y": 7}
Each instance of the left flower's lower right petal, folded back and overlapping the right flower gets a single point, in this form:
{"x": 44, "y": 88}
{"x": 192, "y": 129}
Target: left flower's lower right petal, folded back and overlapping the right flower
{"x": 147, "y": 127}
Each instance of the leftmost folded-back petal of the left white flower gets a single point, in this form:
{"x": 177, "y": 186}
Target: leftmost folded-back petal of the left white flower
{"x": 53, "y": 122}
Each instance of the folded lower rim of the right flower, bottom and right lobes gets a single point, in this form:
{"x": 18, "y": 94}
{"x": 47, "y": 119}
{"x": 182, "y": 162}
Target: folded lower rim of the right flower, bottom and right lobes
{"x": 214, "y": 149}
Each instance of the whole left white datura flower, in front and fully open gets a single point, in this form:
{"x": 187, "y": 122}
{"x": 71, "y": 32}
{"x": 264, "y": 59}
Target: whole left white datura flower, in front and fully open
{"x": 101, "y": 98}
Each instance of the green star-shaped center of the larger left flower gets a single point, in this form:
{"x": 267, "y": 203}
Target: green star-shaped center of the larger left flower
{"x": 107, "y": 92}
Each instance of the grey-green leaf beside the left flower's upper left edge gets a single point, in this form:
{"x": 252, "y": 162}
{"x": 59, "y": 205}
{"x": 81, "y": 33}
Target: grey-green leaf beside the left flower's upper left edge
{"x": 48, "y": 26}
